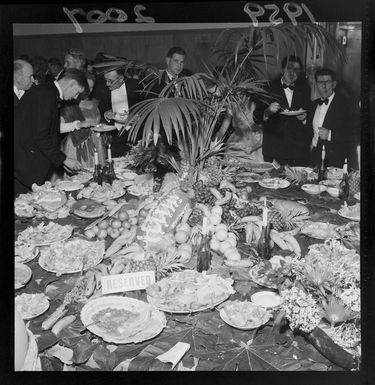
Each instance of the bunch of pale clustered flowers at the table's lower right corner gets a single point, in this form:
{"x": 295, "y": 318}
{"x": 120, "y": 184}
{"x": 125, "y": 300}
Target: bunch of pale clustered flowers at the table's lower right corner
{"x": 326, "y": 293}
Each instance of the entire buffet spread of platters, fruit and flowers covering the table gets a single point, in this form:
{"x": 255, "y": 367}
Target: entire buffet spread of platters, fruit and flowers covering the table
{"x": 75, "y": 235}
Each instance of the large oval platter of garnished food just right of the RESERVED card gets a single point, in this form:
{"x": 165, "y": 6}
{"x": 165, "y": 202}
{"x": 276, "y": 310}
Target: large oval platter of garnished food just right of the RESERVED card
{"x": 189, "y": 291}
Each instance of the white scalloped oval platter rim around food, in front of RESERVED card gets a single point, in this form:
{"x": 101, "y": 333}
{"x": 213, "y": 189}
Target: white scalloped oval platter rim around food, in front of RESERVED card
{"x": 150, "y": 328}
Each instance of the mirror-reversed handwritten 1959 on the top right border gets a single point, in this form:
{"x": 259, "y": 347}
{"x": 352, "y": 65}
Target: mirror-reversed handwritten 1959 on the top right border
{"x": 293, "y": 11}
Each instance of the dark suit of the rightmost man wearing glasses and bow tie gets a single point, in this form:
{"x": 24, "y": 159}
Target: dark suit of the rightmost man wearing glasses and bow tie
{"x": 340, "y": 119}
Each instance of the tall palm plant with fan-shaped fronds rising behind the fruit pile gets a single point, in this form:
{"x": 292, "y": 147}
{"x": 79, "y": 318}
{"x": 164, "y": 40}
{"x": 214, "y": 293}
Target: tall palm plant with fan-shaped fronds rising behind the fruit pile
{"x": 191, "y": 117}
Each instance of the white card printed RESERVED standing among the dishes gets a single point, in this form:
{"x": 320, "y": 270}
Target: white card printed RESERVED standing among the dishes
{"x": 127, "y": 282}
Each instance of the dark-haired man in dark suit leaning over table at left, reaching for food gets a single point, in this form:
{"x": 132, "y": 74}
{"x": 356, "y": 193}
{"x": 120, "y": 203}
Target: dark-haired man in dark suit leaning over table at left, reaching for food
{"x": 36, "y": 130}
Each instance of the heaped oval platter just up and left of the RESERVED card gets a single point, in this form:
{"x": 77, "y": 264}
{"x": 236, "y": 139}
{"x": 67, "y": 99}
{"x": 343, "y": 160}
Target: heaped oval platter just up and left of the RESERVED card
{"x": 71, "y": 256}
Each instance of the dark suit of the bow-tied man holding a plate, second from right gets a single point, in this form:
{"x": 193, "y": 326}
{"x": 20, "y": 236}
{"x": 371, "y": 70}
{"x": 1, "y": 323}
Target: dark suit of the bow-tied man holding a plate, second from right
{"x": 285, "y": 138}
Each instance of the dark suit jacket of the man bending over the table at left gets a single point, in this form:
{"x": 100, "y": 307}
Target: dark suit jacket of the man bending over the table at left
{"x": 36, "y": 135}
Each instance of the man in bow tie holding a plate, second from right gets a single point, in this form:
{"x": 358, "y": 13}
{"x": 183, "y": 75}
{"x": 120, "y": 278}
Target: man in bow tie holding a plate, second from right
{"x": 286, "y": 137}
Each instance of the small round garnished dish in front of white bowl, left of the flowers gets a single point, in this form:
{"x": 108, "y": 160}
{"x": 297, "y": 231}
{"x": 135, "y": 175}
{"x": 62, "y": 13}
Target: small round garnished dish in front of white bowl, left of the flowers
{"x": 244, "y": 315}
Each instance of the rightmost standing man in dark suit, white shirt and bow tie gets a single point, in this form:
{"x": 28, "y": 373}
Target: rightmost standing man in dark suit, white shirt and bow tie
{"x": 332, "y": 119}
